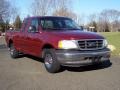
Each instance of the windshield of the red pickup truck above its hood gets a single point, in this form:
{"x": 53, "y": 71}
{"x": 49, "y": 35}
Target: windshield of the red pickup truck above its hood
{"x": 58, "y": 24}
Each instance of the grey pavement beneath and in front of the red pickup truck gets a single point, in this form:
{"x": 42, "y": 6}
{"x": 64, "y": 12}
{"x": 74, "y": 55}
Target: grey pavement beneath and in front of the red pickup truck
{"x": 28, "y": 73}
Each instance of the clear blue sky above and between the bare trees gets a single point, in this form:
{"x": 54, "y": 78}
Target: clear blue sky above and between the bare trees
{"x": 80, "y": 7}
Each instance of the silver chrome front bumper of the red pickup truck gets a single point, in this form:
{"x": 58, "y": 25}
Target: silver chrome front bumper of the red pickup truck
{"x": 82, "y": 58}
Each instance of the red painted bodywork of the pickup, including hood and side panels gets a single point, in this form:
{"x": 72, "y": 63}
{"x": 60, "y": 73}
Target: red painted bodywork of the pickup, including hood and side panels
{"x": 32, "y": 43}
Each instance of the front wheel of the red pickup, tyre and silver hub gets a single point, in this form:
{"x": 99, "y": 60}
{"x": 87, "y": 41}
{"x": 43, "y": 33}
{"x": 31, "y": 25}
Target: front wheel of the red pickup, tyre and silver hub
{"x": 50, "y": 61}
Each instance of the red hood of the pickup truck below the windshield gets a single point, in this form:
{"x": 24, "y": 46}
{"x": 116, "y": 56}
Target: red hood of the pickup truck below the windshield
{"x": 76, "y": 35}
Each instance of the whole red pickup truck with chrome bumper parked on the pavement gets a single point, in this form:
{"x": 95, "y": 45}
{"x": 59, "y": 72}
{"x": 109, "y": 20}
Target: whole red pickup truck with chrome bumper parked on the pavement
{"x": 59, "y": 41}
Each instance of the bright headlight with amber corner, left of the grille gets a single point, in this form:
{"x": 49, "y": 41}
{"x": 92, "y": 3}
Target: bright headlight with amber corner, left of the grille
{"x": 67, "y": 44}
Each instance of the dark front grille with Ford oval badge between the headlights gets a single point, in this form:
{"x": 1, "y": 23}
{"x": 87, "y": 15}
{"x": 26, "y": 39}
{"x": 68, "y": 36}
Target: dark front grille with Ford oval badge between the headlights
{"x": 90, "y": 44}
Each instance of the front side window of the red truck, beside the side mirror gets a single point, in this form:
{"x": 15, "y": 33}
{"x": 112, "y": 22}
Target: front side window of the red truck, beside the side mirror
{"x": 33, "y": 26}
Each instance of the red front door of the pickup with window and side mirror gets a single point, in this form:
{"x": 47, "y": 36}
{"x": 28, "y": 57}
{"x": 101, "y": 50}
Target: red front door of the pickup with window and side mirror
{"x": 32, "y": 37}
